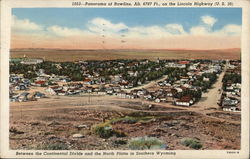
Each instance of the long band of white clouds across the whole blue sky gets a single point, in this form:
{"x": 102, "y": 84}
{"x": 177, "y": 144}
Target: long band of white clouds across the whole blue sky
{"x": 97, "y": 26}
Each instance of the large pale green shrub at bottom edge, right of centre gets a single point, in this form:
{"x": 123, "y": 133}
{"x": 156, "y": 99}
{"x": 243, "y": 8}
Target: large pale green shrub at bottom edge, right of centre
{"x": 142, "y": 143}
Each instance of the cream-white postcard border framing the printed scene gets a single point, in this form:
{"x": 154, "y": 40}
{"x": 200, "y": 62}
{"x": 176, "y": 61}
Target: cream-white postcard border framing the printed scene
{"x": 6, "y": 6}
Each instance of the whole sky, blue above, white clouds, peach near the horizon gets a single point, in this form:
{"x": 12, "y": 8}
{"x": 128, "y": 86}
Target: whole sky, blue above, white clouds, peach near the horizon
{"x": 150, "y": 28}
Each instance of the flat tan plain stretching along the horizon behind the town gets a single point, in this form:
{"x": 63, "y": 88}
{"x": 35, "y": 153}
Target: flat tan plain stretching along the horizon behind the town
{"x": 76, "y": 55}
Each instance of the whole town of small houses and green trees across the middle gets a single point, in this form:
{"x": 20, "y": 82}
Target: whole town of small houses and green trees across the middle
{"x": 178, "y": 82}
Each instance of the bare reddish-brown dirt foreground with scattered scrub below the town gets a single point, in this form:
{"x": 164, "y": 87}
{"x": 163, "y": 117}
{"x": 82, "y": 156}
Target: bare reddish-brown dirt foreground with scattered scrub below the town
{"x": 51, "y": 123}
